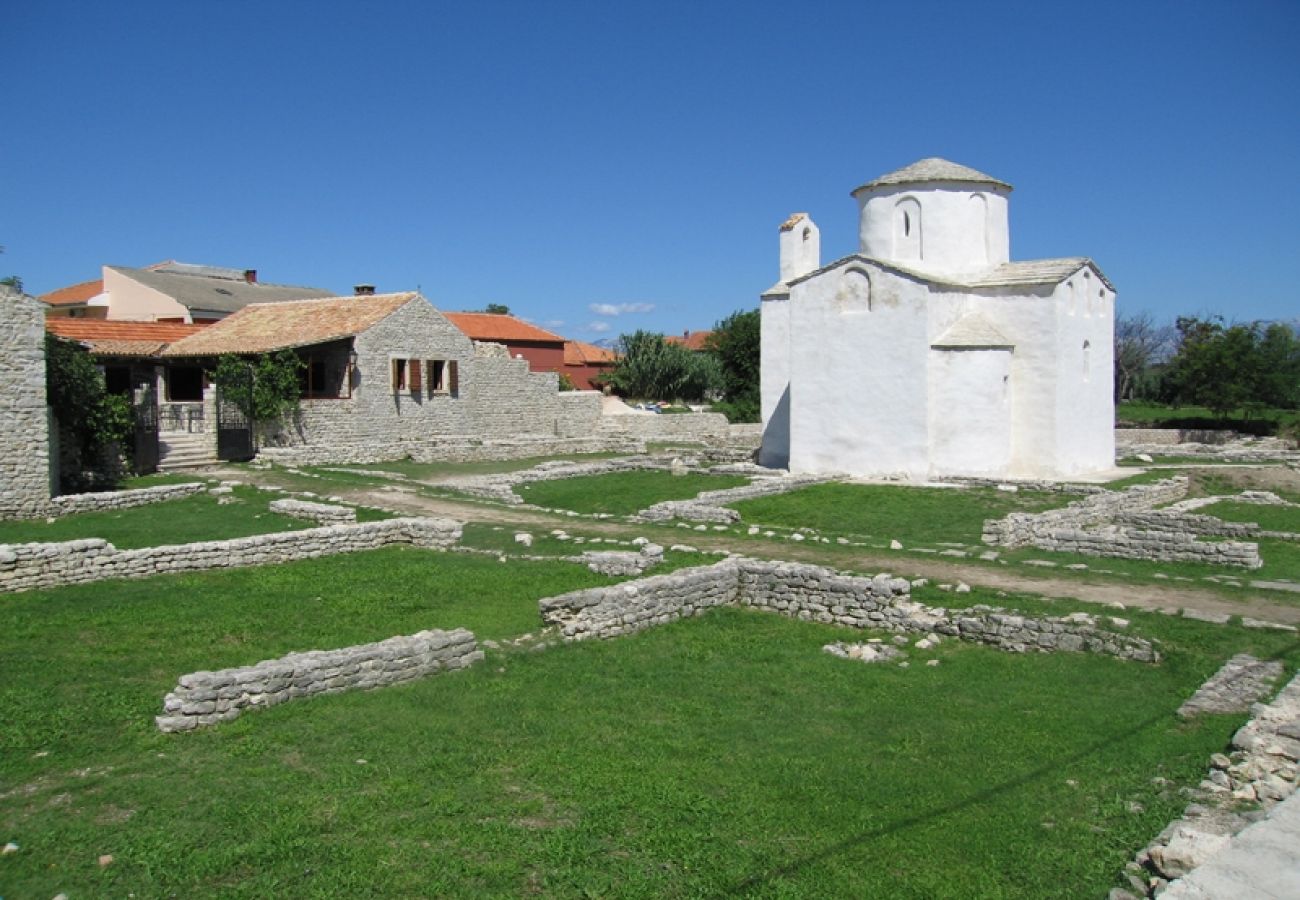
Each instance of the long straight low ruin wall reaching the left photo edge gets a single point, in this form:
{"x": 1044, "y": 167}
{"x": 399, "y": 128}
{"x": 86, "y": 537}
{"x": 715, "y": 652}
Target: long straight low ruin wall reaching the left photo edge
{"x": 33, "y": 566}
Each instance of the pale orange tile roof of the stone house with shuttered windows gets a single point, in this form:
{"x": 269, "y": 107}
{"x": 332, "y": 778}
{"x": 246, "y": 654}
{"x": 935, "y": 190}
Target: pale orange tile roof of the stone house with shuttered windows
{"x": 266, "y": 327}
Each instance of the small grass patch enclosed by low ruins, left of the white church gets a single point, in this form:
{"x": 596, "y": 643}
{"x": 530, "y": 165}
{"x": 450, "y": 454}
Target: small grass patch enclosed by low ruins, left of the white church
{"x": 622, "y": 494}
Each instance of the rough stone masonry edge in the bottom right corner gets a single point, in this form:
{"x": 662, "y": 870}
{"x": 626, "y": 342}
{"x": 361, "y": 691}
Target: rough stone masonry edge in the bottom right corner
{"x": 1242, "y": 786}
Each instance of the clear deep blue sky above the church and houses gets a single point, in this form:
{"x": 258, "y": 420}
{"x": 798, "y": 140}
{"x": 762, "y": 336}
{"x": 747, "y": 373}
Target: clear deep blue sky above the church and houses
{"x": 603, "y": 167}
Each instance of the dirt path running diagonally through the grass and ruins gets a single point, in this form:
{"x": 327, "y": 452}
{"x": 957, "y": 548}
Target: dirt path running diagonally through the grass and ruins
{"x": 398, "y": 499}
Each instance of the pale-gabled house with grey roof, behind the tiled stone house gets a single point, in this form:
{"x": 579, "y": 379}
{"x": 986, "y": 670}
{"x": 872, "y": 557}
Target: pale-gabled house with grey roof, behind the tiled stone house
{"x": 170, "y": 293}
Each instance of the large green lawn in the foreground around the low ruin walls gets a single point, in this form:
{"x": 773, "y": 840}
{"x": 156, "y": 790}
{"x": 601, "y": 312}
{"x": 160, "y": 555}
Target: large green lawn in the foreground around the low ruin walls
{"x": 726, "y": 755}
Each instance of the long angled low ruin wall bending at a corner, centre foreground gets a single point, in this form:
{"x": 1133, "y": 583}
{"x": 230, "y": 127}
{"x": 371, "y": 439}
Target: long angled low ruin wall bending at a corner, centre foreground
{"x": 820, "y": 595}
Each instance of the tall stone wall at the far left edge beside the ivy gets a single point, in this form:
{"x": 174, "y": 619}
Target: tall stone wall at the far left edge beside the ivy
{"x": 25, "y": 471}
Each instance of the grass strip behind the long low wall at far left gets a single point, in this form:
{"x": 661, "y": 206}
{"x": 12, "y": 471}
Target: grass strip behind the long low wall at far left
{"x": 197, "y": 518}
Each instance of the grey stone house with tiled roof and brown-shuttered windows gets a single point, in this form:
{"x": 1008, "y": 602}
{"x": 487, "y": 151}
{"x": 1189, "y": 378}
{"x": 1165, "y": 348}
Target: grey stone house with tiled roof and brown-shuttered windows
{"x": 389, "y": 373}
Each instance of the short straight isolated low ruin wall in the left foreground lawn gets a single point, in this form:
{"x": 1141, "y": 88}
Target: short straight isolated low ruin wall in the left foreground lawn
{"x": 203, "y": 699}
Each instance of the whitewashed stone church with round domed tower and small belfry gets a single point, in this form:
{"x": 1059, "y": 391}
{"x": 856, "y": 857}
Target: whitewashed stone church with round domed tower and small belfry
{"x": 929, "y": 353}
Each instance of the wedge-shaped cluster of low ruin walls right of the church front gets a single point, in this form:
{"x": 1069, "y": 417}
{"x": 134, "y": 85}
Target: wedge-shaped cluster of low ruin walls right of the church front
{"x": 1098, "y": 526}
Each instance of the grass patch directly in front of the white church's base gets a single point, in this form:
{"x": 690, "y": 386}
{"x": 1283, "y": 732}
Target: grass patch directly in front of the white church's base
{"x": 885, "y": 513}
